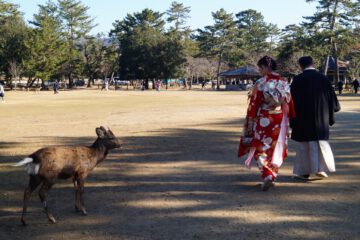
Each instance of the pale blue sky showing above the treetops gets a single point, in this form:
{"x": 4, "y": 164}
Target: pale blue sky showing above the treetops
{"x": 280, "y": 12}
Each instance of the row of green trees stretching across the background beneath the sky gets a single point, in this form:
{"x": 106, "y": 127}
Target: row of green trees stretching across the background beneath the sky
{"x": 148, "y": 45}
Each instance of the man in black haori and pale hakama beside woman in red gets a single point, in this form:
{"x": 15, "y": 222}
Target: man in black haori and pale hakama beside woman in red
{"x": 315, "y": 104}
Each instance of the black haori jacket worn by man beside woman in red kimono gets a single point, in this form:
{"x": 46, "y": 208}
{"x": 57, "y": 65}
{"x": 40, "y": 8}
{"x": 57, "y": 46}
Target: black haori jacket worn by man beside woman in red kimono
{"x": 315, "y": 104}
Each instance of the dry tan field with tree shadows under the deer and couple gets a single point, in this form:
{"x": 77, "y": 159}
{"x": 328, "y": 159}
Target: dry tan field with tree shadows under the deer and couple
{"x": 177, "y": 176}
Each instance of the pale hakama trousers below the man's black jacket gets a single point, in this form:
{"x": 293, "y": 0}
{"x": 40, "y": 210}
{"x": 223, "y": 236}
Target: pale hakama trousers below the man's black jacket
{"x": 313, "y": 157}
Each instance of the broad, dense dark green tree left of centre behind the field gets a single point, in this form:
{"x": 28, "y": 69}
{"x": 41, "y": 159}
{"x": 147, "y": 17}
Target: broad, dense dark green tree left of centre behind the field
{"x": 146, "y": 51}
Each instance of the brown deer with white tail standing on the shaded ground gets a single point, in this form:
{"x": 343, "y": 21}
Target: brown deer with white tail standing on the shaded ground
{"x": 46, "y": 165}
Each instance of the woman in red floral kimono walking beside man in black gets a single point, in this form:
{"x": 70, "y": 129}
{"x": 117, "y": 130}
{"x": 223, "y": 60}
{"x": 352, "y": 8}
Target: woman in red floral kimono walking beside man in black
{"x": 267, "y": 120}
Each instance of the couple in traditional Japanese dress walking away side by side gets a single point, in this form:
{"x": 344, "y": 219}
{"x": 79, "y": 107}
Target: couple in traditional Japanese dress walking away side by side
{"x": 307, "y": 106}
